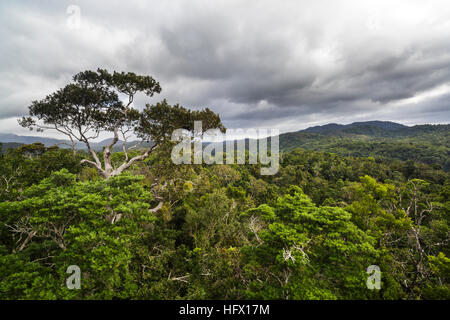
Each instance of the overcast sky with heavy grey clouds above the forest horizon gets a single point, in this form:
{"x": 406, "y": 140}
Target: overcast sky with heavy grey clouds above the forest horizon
{"x": 259, "y": 64}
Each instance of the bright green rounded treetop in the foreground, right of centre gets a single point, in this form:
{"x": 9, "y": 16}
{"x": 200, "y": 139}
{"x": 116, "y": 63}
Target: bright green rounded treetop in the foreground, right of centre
{"x": 306, "y": 252}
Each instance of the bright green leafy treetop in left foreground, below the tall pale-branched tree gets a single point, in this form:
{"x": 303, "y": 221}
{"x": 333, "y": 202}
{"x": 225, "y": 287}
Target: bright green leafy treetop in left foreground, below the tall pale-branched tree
{"x": 94, "y": 225}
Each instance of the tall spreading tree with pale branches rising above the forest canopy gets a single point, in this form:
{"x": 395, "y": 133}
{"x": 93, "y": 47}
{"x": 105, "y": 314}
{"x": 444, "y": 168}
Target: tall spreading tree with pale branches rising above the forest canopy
{"x": 91, "y": 104}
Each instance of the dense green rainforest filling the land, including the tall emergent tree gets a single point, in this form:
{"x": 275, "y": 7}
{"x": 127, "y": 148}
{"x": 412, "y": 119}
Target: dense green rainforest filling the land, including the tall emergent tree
{"x": 343, "y": 202}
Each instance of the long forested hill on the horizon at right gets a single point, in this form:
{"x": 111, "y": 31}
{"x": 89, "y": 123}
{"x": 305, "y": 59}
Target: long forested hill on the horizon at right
{"x": 428, "y": 144}
